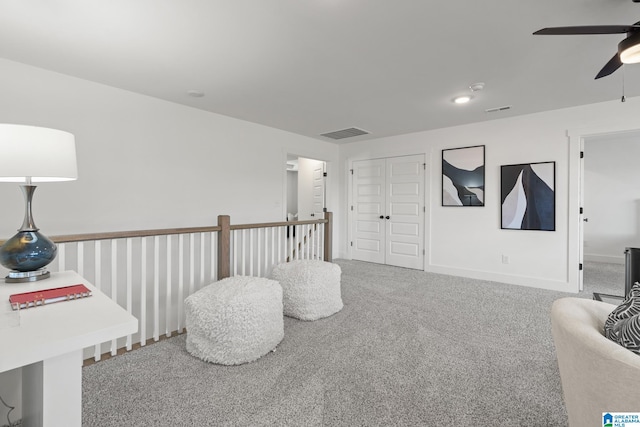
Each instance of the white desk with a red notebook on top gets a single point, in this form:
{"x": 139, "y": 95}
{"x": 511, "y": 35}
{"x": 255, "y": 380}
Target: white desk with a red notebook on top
{"x": 48, "y": 346}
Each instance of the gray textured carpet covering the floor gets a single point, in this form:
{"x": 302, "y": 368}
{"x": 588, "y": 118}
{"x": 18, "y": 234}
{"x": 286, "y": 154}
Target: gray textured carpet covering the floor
{"x": 408, "y": 349}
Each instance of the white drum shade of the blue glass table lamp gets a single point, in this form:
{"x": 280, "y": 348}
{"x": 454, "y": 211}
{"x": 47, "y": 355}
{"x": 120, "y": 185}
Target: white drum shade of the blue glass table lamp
{"x": 41, "y": 154}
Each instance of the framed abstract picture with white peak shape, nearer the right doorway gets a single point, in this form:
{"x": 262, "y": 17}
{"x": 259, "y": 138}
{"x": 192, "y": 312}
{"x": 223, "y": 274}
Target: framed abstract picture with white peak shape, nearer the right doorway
{"x": 528, "y": 196}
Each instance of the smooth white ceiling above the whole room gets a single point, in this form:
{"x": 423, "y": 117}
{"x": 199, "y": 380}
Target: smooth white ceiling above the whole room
{"x": 316, "y": 66}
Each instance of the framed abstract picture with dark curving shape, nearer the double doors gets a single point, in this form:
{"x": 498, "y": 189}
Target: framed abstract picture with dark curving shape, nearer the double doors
{"x": 463, "y": 176}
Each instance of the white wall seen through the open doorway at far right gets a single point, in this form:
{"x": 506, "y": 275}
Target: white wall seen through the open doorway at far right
{"x": 611, "y": 196}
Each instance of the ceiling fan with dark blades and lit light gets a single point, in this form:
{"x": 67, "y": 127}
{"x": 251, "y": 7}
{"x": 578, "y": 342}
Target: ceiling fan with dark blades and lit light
{"x": 628, "y": 49}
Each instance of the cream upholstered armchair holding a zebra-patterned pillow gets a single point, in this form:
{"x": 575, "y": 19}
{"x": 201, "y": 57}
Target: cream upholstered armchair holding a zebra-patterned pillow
{"x": 597, "y": 374}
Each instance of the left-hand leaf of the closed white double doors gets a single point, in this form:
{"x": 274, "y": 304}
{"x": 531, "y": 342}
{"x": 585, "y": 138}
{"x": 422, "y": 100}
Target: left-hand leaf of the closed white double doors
{"x": 368, "y": 211}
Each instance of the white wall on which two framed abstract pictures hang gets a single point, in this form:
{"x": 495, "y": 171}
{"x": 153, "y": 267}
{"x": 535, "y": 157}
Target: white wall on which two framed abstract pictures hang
{"x": 469, "y": 241}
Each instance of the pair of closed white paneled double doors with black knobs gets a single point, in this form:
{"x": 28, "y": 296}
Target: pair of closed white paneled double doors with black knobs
{"x": 388, "y": 211}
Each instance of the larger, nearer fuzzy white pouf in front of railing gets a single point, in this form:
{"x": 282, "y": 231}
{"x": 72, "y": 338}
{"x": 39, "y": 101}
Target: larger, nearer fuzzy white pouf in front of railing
{"x": 235, "y": 320}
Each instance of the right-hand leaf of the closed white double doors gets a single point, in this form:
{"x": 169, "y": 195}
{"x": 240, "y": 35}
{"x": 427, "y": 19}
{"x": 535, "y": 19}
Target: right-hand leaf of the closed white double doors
{"x": 405, "y": 211}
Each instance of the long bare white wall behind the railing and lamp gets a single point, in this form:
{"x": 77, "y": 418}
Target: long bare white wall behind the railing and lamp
{"x": 147, "y": 163}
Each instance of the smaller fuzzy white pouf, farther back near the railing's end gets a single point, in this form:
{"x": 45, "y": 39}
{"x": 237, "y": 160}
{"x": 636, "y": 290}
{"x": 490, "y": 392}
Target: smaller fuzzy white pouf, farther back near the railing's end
{"x": 311, "y": 288}
